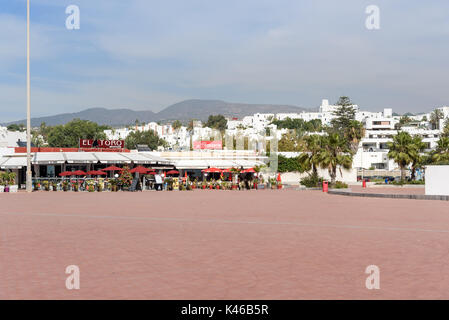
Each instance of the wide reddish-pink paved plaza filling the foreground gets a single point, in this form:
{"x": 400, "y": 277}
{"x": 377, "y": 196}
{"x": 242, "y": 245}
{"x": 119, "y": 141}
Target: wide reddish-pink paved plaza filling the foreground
{"x": 221, "y": 245}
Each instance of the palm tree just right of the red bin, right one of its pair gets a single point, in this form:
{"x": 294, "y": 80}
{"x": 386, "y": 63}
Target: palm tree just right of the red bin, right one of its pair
{"x": 335, "y": 153}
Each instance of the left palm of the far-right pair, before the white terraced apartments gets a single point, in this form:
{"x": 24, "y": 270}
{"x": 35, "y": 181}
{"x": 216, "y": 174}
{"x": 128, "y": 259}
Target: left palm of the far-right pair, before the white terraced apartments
{"x": 402, "y": 151}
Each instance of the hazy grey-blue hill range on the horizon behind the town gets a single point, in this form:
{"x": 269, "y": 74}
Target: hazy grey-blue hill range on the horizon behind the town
{"x": 185, "y": 110}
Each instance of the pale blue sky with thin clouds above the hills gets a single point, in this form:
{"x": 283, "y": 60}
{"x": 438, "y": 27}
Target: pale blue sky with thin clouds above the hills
{"x": 147, "y": 55}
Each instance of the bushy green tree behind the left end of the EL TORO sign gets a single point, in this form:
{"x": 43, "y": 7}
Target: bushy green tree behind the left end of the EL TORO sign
{"x": 68, "y": 135}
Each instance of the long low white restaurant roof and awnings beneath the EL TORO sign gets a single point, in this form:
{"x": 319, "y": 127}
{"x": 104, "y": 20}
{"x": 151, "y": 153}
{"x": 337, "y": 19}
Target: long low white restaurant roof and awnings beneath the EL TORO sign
{"x": 50, "y": 162}
